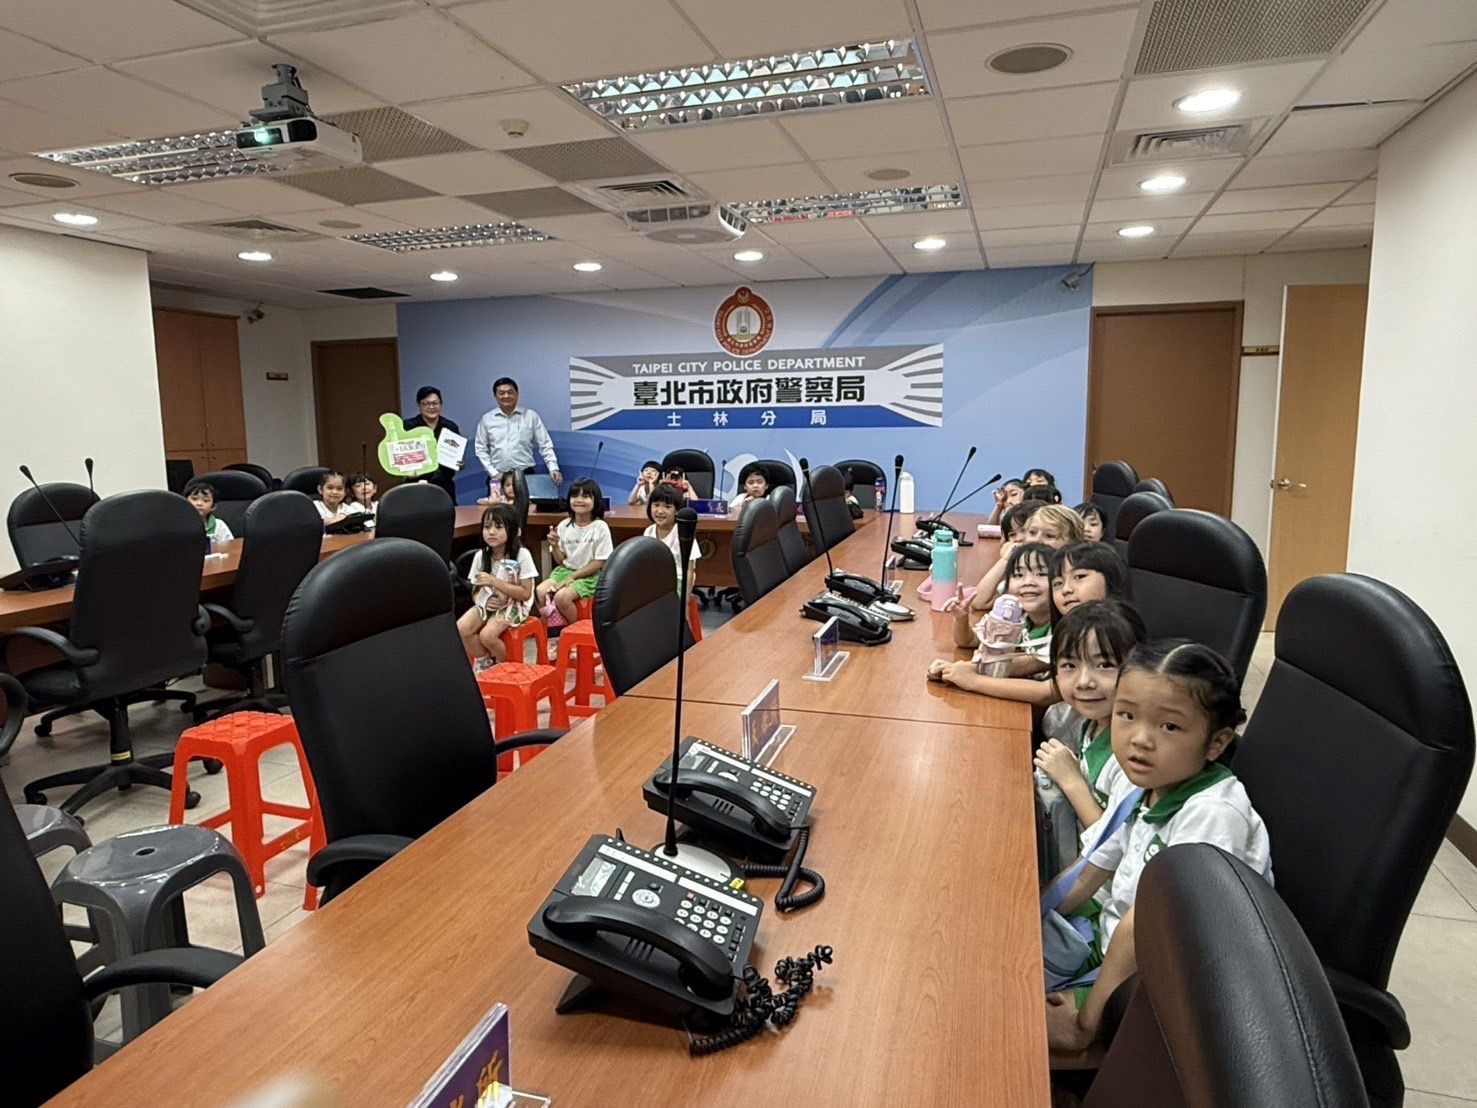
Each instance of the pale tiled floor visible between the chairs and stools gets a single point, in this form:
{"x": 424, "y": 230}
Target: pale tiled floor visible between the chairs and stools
{"x": 1435, "y": 973}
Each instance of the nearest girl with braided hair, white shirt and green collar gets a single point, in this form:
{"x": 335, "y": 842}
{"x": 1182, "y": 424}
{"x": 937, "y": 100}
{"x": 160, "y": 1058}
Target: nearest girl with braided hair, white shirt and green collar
{"x": 1175, "y": 711}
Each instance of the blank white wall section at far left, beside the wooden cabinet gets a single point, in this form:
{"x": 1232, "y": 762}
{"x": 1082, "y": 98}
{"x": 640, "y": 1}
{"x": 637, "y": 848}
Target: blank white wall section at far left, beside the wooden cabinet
{"x": 76, "y": 366}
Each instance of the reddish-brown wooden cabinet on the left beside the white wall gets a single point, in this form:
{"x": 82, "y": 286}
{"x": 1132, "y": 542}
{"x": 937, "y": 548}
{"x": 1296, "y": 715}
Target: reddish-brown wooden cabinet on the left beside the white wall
{"x": 200, "y": 388}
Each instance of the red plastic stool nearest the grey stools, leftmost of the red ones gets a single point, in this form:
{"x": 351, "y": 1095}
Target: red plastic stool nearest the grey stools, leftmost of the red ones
{"x": 239, "y": 741}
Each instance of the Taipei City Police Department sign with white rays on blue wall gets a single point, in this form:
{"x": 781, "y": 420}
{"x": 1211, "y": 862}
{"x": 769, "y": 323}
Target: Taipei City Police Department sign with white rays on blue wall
{"x": 874, "y": 386}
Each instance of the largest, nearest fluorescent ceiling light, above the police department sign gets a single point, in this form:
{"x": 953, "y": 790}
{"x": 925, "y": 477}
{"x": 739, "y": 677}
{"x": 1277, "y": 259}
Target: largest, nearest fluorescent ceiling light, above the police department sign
{"x": 825, "y": 78}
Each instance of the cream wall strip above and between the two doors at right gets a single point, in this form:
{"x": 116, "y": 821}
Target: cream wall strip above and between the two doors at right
{"x": 1261, "y": 283}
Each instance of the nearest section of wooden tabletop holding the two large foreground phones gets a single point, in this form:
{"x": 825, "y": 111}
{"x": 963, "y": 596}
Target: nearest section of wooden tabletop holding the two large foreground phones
{"x": 925, "y": 840}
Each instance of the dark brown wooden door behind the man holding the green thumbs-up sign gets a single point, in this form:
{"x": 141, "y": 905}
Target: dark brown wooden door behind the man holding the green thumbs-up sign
{"x": 354, "y": 385}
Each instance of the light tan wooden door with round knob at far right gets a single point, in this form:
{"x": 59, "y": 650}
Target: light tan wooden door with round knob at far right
{"x": 1318, "y": 426}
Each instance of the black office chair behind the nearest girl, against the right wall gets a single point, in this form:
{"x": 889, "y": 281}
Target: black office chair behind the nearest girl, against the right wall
{"x": 1357, "y": 757}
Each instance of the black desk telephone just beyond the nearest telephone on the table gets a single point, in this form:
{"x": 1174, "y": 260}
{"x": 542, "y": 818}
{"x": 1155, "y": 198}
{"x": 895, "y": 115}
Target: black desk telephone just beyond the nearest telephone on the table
{"x": 738, "y": 801}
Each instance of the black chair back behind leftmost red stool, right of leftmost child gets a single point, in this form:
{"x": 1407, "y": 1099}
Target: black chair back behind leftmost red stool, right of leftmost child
{"x": 283, "y": 541}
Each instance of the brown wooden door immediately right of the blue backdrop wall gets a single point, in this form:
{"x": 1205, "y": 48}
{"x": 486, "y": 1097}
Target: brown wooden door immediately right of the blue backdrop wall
{"x": 1163, "y": 395}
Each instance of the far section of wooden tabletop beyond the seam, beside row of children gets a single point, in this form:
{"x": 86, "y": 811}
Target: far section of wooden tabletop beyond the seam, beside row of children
{"x": 772, "y": 640}
